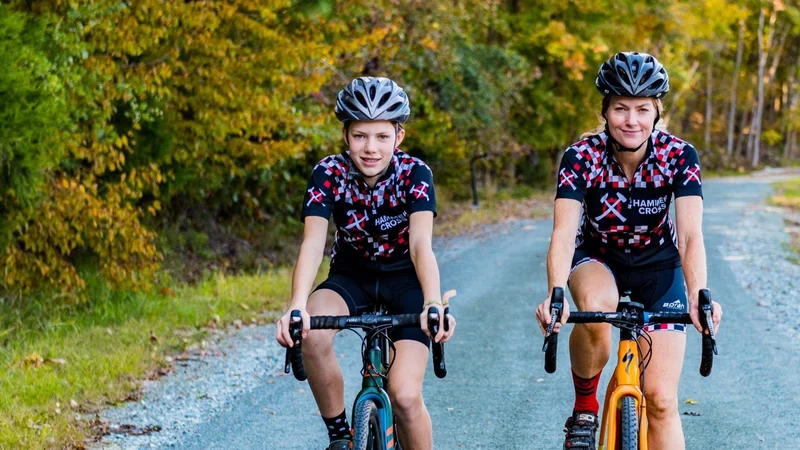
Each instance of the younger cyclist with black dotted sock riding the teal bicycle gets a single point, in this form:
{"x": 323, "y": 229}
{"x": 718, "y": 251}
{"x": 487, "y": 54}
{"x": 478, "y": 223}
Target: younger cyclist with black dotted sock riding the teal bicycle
{"x": 383, "y": 204}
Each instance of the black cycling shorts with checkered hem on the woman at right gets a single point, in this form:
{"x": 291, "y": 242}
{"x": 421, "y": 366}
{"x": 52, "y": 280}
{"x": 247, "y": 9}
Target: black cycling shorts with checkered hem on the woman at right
{"x": 659, "y": 289}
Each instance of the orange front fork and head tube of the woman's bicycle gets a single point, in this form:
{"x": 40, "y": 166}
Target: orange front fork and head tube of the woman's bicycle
{"x": 624, "y": 381}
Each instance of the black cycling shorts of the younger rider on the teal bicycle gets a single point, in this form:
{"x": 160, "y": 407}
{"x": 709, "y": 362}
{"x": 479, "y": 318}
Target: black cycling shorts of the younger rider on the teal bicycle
{"x": 399, "y": 292}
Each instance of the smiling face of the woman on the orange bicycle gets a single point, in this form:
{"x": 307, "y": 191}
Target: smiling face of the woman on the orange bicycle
{"x": 631, "y": 120}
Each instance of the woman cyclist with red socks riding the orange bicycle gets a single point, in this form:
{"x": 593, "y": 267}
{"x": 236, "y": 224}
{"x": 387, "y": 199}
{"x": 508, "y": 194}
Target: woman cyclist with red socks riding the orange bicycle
{"x": 614, "y": 193}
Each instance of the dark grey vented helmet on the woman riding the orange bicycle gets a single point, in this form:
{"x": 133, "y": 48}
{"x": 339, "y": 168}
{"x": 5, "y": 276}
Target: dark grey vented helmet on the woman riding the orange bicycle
{"x": 632, "y": 74}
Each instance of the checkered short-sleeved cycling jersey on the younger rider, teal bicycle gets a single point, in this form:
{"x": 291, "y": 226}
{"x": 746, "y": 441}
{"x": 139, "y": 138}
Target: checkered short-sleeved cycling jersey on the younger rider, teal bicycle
{"x": 371, "y": 223}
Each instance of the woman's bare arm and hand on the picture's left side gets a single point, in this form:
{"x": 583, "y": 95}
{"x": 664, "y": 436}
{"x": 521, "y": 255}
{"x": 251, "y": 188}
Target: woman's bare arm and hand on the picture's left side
{"x": 566, "y": 218}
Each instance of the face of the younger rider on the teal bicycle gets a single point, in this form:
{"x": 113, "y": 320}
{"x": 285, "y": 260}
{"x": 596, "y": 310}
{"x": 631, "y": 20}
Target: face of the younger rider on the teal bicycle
{"x": 371, "y": 146}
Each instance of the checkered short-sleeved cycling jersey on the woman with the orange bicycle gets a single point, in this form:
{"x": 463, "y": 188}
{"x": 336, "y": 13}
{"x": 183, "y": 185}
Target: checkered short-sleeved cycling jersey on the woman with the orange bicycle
{"x": 628, "y": 223}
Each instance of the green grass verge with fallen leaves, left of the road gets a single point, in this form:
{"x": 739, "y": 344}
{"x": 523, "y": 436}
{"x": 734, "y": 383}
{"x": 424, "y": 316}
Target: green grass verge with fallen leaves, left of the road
{"x": 57, "y": 362}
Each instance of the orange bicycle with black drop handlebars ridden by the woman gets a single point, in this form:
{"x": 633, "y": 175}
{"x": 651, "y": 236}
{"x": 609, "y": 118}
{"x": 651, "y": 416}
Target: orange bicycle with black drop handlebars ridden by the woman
{"x": 624, "y": 419}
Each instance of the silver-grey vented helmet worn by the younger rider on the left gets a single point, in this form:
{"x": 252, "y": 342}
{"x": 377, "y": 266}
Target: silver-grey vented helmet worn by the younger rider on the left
{"x": 372, "y": 98}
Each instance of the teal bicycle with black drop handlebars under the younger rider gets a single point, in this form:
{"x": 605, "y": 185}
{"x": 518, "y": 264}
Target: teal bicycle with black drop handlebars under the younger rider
{"x": 373, "y": 421}
